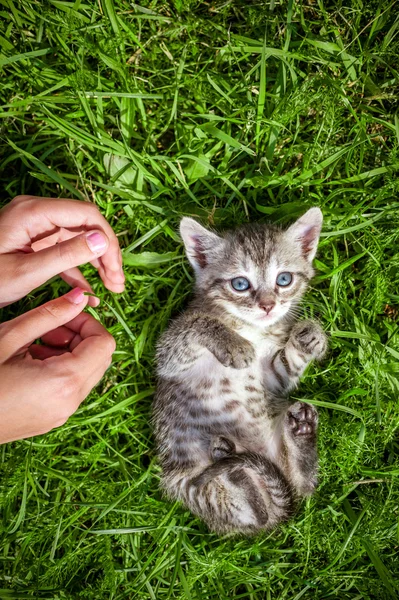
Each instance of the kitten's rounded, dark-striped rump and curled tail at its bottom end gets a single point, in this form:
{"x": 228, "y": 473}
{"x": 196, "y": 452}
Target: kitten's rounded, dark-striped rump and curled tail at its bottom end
{"x": 243, "y": 493}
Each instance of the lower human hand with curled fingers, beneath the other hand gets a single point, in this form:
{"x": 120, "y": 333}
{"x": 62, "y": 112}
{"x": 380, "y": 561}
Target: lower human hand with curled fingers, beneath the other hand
{"x": 42, "y": 386}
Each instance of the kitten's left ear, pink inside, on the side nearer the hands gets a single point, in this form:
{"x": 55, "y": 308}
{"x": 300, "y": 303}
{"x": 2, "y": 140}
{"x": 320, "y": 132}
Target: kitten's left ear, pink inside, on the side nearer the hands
{"x": 199, "y": 242}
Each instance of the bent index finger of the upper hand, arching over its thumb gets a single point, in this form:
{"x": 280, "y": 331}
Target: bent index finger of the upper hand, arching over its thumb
{"x": 38, "y": 215}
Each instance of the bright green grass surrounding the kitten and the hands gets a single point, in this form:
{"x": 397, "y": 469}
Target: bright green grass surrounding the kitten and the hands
{"x": 232, "y": 111}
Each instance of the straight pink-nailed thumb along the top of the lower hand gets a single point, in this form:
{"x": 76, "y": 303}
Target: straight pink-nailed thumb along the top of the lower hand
{"x": 21, "y": 332}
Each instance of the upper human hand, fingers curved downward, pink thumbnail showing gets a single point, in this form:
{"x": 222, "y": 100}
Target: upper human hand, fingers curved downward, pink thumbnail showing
{"x": 44, "y": 237}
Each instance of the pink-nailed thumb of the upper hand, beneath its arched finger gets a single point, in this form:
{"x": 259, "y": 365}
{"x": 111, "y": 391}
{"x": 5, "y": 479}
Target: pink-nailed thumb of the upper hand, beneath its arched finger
{"x": 51, "y": 261}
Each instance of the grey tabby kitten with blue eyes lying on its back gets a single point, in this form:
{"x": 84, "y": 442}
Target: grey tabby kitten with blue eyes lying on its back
{"x": 232, "y": 447}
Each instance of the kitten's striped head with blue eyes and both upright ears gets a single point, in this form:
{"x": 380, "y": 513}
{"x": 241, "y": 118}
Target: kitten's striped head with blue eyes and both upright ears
{"x": 257, "y": 272}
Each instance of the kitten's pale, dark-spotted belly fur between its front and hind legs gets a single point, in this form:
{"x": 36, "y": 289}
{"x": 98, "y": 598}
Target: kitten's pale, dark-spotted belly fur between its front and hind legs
{"x": 234, "y": 404}
